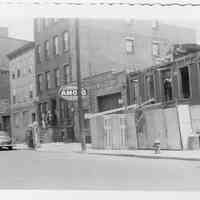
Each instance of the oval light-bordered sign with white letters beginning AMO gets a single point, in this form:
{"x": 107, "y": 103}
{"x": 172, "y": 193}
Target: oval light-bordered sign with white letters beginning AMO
{"x": 70, "y": 92}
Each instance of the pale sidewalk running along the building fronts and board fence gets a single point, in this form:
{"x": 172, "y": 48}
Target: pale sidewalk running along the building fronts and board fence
{"x": 76, "y": 148}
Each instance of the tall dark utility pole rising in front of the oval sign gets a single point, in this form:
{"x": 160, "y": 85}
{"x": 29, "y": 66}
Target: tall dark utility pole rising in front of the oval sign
{"x": 78, "y": 77}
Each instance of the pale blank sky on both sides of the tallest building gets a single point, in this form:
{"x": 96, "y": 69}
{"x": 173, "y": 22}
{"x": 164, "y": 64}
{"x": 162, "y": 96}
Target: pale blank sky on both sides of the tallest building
{"x": 22, "y": 28}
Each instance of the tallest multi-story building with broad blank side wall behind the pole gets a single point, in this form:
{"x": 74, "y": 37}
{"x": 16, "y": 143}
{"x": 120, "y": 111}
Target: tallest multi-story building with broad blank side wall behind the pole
{"x": 104, "y": 45}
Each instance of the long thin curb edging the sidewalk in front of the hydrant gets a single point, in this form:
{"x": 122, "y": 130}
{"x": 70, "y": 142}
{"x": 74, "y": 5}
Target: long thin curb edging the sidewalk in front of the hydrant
{"x": 145, "y": 156}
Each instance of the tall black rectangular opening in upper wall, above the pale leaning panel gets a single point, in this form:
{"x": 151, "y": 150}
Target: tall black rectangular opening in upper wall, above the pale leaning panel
{"x": 185, "y": 82}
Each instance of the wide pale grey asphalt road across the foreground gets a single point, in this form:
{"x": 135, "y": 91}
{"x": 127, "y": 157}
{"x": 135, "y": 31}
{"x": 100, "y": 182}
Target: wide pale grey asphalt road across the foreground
{"x": 26, "y": 169}
